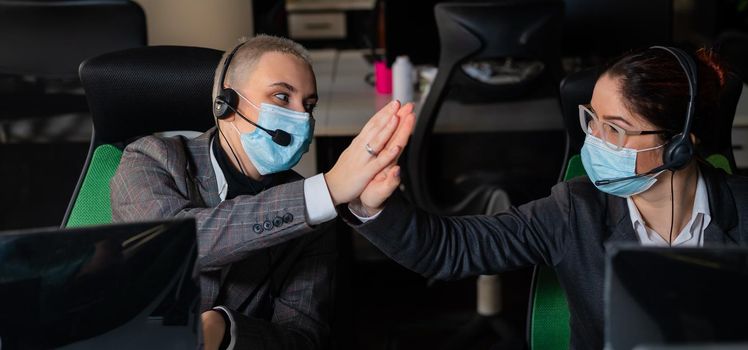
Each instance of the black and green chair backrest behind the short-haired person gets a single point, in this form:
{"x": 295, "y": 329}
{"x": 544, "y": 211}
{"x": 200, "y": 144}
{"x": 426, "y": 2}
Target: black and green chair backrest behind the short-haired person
{"x": 134, "y": 93}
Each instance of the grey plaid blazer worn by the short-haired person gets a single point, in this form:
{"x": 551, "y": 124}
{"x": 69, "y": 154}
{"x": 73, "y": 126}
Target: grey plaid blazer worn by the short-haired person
{"x": 278, "y": 286}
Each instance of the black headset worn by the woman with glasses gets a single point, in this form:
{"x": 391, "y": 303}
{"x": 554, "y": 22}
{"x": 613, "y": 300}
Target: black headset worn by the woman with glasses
{"x": 679, "y": 149}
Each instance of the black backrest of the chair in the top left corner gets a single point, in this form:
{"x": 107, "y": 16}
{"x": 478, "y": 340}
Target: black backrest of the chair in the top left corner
{"x": 52, "y": 38}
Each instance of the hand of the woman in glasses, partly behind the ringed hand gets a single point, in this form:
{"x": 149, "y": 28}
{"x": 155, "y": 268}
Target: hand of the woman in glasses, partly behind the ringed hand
{"x": 383, "y": 184}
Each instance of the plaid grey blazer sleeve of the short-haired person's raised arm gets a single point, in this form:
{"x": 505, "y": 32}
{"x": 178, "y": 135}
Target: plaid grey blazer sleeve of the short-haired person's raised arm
{"x": 151, "y": 184}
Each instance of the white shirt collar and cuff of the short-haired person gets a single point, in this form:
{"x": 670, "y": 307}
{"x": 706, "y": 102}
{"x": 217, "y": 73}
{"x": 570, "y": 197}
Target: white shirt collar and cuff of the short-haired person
{"x": 319, "y": 206}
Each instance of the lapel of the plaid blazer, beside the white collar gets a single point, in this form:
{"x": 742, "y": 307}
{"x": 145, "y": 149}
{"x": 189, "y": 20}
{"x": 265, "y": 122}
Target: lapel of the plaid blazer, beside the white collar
{"x": 205, "y": 177}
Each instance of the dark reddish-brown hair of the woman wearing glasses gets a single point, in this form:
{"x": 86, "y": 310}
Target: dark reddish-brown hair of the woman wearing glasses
{"x": 655, "y": 86}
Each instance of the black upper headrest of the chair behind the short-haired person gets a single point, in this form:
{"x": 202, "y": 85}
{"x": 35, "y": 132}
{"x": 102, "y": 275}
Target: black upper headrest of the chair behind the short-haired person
{"x": 140, "y": 91}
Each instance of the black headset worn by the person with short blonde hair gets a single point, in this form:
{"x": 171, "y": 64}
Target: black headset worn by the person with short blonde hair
{"x": 227, "y": 101}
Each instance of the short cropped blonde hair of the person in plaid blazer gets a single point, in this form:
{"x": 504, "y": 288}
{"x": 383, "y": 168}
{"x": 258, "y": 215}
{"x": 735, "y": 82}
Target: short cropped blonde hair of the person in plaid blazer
{"x": 249, "y": 53}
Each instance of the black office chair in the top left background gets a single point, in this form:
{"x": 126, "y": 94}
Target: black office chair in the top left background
{"x": 42, "y": 43}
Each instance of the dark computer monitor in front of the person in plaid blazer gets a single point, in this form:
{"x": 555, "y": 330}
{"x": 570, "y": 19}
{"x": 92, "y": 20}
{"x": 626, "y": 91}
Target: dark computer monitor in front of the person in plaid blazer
{"x": 59, "y": 286}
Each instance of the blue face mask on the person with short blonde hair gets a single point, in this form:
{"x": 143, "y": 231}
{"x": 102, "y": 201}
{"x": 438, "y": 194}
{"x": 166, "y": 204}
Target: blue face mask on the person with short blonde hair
{"x": 267, "y": 156}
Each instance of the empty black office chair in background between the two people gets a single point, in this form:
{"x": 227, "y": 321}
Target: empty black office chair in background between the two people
{"x": 478, "y": 32}
